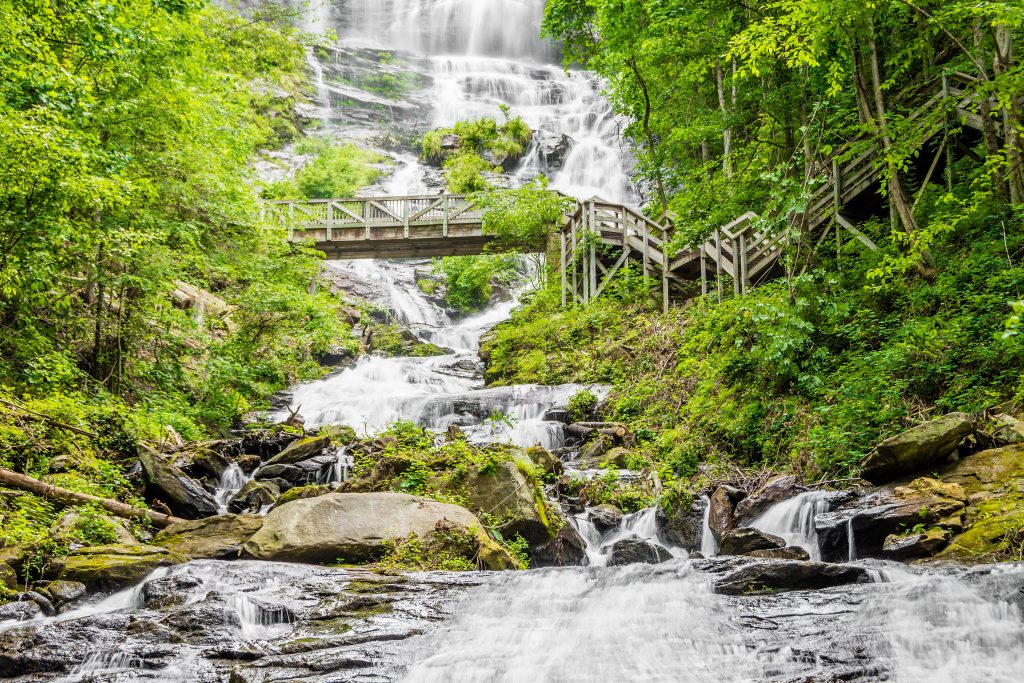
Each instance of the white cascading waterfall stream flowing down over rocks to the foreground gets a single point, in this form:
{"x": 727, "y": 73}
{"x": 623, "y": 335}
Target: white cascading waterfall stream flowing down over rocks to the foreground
{"x": 249, "y": 622}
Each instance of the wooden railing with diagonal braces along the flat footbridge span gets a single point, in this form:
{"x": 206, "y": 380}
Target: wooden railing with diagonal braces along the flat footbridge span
{"x": 367, "y": 214}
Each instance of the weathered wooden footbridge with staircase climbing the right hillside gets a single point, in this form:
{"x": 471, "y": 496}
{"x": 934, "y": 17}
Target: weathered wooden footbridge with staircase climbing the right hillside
{"x": 744, "y": 251}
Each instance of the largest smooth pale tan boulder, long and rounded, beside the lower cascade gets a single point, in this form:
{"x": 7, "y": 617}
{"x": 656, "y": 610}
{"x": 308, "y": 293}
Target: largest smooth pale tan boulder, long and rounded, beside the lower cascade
{"x": 356, "y": 527}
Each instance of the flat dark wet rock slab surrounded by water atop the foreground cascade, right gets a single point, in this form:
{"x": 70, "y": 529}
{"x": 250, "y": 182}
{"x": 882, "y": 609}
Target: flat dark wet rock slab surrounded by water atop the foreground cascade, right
{"x": 776, "y": 576}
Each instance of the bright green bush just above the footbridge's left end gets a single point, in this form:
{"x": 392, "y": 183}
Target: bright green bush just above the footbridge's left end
{"x": 335, "y": 172}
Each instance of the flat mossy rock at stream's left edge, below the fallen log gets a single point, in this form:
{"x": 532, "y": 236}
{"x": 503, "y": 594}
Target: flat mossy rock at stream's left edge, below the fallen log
{"x": 115, "y": 567}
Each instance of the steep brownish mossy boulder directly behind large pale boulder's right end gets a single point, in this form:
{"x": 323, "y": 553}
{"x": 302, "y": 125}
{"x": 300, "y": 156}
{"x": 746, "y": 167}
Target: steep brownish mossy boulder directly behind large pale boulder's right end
{"x": 511, "y": 496}
